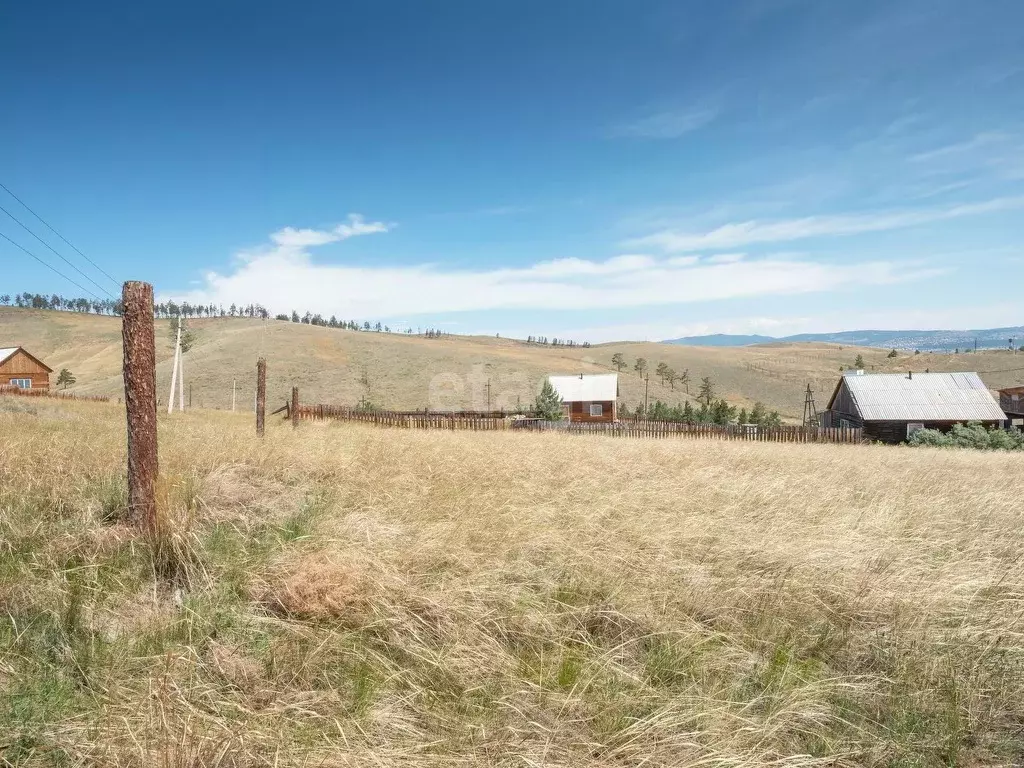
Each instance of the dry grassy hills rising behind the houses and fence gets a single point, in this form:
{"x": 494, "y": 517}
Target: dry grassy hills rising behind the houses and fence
{"x": 403, "y": 372}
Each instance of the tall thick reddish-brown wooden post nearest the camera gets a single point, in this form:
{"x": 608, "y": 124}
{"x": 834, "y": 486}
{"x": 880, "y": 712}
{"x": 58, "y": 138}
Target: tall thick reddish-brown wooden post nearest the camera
{"x": 141, "y": 402}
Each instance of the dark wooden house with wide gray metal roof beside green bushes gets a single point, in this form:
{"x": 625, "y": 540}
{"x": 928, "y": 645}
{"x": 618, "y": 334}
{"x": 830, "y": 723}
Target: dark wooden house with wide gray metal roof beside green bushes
{"x": 893, "y": 407}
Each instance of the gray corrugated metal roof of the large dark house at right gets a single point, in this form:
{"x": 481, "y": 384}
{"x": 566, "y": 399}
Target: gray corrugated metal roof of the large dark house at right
{"x": 953, "y": 397}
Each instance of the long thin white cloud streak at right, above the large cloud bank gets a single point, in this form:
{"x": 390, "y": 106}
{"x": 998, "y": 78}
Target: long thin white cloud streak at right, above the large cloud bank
{"x": 743, "y": 234}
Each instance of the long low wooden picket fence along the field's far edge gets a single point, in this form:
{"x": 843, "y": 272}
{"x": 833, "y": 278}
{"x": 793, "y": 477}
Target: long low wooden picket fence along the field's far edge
{"x": 630, "y": 429}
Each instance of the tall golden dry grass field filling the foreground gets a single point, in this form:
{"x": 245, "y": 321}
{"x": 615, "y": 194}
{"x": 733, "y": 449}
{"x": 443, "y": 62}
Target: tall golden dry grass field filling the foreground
{"x": 344, "y": 596}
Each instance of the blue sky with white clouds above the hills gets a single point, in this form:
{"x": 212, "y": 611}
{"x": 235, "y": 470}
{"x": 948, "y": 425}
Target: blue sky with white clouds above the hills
{"x": 587, "y": 169}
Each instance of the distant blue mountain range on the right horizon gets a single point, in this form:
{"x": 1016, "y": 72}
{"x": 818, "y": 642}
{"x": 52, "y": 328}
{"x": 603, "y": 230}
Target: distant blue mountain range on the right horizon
{"x": 991, "y": 338}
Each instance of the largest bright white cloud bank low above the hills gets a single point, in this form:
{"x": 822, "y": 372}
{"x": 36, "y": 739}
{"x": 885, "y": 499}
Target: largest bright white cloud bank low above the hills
{"x": 284, "y": 277}
